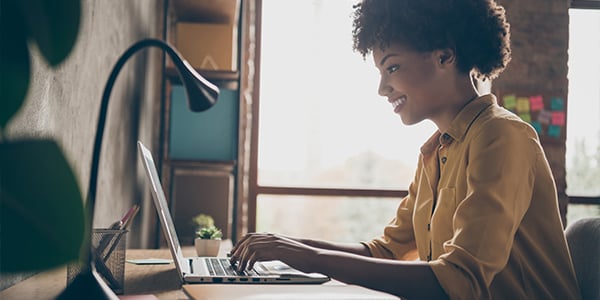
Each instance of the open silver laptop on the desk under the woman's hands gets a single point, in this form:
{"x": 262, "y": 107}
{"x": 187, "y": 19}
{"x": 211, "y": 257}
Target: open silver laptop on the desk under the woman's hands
{"x": 214, "y": 269}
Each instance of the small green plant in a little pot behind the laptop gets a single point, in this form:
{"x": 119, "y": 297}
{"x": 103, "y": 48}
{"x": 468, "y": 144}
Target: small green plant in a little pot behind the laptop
{"x": 208, "y": 236}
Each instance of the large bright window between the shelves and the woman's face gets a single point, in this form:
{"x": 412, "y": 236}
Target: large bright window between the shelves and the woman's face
{"x": 330, "y": 150}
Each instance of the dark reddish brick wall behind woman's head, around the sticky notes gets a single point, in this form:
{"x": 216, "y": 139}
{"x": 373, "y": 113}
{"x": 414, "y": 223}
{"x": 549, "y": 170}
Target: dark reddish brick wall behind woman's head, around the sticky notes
{"x": 540, "y": 38}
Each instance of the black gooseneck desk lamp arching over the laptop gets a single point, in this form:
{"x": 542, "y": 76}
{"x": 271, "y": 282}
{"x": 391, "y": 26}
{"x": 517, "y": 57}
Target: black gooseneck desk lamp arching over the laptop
{"x": 201, "y": 95}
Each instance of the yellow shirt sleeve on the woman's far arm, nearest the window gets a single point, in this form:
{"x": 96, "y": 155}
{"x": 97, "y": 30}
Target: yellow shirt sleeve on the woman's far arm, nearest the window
{"x": 398, "y": 239}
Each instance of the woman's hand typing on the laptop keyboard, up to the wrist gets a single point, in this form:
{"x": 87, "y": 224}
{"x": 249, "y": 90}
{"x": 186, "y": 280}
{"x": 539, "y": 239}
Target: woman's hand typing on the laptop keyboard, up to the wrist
{"x": 265, "y": 246}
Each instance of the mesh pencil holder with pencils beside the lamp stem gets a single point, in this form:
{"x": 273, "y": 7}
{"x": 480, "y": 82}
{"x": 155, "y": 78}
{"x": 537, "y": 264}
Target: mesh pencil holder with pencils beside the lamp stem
{"x": 108, "y": 247}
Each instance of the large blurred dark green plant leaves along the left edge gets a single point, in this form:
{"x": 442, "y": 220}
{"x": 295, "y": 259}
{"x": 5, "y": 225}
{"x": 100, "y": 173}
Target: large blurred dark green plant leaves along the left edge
{"x": 40, "y": 197}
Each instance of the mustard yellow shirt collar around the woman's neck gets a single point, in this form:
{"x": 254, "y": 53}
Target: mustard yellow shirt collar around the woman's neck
{"x": 460, "y": 125}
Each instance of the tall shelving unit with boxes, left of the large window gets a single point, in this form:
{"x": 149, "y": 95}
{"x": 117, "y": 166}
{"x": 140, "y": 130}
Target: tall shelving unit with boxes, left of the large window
{"x": 197, "y": 182}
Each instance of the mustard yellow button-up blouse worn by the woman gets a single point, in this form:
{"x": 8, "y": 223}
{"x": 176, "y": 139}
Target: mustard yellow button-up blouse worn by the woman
{"x": 483, "y": 211}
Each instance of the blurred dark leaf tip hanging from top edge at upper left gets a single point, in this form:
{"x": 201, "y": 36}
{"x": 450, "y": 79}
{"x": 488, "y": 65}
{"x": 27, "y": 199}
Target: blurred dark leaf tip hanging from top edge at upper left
{"x": 53, "y": 25}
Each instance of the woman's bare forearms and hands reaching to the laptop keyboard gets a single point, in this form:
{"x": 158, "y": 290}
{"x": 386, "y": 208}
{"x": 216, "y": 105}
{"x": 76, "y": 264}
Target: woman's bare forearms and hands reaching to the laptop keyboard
{"x": 406, "y": 279}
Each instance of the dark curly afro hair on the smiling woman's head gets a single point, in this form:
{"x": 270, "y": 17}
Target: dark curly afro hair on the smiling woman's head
{"x": 476, "y": 30}
